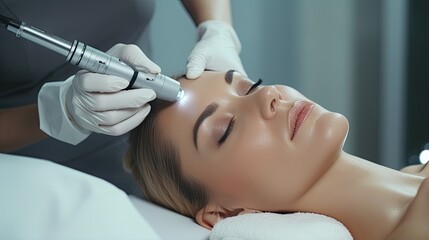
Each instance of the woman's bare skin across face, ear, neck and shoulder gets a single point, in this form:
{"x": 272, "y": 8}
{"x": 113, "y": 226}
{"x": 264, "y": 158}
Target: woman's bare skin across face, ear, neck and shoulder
{"x": 260, "y": 167}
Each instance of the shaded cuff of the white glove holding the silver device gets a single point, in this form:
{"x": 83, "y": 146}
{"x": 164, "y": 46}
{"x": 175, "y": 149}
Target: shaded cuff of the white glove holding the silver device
{"x": 53, "y": 116}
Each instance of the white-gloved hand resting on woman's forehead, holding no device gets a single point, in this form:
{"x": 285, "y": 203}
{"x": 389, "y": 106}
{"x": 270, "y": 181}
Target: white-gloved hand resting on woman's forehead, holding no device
{"x": 218, "y": 49}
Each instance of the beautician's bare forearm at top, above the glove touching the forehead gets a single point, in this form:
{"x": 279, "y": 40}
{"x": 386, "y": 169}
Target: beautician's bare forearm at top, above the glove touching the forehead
{"x": 203, "y": 10}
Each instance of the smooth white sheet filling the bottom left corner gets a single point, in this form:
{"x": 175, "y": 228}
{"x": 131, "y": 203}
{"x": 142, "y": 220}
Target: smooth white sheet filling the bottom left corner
{"x": 43, "y": 200}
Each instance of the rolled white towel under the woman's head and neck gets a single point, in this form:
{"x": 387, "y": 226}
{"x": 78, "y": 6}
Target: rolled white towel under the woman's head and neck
{"x": 267, "y": 226}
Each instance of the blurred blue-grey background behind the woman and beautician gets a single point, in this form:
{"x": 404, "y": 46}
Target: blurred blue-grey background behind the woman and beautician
{"x": 363, "y": 58}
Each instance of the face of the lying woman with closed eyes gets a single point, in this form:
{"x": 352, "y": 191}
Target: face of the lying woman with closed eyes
{"x": 258, "y": 149}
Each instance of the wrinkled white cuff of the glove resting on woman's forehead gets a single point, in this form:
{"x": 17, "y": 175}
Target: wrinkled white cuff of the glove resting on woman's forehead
{"x": 212, "y": 28}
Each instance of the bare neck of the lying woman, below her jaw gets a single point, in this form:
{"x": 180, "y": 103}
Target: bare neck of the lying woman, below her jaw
{"x": 367, "y": 198}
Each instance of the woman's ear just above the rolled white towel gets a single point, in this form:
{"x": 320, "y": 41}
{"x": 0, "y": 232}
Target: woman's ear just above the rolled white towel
{"x": 213, "y": 213}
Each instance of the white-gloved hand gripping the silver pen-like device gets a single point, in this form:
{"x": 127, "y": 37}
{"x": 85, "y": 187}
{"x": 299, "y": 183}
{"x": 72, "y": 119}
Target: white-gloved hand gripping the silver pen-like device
{"x": 92, "y": 102}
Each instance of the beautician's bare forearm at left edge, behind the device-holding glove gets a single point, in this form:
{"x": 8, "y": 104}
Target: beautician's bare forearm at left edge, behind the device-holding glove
{"x": 19, "y": 127}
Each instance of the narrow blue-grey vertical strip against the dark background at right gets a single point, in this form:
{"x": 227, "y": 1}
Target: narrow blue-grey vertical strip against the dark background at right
{"x": 393, "y": 75}
